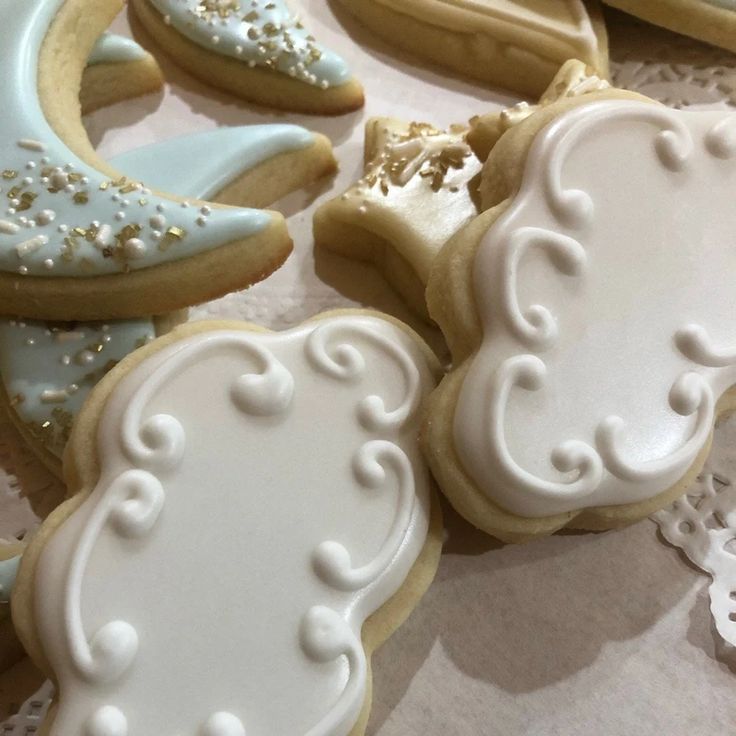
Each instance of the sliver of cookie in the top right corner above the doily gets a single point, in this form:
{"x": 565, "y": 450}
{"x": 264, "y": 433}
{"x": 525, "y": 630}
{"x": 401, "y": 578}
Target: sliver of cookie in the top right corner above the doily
{"x": 713, "y": 21}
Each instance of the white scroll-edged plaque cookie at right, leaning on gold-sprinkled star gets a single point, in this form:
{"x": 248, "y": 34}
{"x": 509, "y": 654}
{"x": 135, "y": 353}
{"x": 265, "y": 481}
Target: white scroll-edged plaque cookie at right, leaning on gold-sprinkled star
{"x": 590, "y": 317}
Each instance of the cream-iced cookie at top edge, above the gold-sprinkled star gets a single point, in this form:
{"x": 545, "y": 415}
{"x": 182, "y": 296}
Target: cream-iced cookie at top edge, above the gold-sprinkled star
{"x": 517, "y": 44}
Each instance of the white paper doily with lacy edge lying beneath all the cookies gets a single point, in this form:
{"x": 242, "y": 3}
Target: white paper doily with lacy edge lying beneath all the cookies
{"x": 469, "y": 657}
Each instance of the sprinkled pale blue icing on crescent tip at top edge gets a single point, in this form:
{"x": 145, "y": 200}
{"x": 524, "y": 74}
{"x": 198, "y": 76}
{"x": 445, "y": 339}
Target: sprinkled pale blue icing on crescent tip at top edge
{"x": 260, "y": 32}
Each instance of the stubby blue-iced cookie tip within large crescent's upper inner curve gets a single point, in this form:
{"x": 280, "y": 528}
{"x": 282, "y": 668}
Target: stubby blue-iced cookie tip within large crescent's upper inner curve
{"x": 117, "y": 69}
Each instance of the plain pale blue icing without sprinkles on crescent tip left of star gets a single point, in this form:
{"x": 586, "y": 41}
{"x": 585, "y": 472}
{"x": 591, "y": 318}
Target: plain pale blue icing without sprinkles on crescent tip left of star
{"x": 201, "y": 164}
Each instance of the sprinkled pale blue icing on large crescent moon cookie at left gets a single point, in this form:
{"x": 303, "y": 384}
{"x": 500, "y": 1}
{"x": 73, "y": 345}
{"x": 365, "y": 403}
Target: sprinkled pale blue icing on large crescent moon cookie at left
{"x": 61, "y": 217}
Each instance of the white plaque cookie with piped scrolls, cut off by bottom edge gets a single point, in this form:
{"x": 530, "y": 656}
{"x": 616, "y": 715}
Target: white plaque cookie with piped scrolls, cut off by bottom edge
{"x": 198, "y": 452}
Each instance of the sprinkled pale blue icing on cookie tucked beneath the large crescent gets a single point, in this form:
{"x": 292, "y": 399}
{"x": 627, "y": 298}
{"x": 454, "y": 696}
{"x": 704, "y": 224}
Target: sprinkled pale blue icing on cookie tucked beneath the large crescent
{"x": 48, "y": 370}
